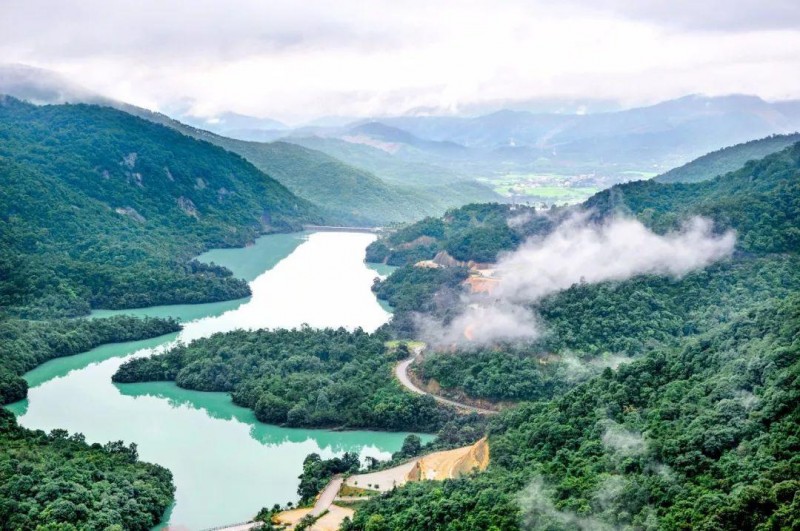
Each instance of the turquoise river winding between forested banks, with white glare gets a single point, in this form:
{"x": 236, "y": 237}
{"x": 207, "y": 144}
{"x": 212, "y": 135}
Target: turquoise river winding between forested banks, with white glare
{"x": 225, "y": 463}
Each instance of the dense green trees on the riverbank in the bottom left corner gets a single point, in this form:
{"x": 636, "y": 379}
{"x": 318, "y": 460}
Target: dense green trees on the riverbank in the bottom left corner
{"x": 58, "y": 481}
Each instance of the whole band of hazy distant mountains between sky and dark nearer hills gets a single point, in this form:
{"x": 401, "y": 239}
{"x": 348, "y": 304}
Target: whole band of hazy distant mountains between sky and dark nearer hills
{"x": 408, "y": 166}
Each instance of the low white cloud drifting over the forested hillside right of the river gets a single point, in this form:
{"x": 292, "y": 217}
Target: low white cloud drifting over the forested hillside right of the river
{"x": 576, "y": 251}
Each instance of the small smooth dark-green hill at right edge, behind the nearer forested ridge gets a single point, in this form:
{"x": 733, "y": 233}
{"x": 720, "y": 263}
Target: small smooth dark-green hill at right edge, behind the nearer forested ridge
{"x": 727, "y": 159}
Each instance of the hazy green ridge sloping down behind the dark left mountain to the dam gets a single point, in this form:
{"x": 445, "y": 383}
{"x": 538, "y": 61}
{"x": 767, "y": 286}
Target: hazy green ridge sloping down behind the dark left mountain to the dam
{"x": 345, "y": 194}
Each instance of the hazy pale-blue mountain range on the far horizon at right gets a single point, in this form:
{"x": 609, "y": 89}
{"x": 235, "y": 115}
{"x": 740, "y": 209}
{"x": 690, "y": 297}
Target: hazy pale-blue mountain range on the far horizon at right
{"x": 667, "y": 133}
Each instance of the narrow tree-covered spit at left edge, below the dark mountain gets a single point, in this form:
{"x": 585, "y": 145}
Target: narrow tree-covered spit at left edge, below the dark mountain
{"x": 26, "y": 344}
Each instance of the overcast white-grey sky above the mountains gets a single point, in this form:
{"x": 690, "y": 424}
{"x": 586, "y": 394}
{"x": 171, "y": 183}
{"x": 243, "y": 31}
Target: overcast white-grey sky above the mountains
{"x": 294, "y": 60}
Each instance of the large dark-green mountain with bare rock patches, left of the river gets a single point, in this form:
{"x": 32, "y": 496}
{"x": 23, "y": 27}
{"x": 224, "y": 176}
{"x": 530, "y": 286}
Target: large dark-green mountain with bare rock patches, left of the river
{"x": 102, "y": 209}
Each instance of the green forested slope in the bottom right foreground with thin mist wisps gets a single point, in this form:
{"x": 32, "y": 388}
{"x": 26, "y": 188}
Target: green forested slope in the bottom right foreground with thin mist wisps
{"x": 703, "y": 435}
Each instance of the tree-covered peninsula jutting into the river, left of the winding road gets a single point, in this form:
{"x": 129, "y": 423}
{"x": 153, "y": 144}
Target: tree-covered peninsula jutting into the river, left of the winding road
{"x": 301, "y": 377}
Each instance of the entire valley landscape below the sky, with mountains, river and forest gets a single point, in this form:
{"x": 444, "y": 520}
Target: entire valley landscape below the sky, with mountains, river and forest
{"x": 261, "y": 322}
